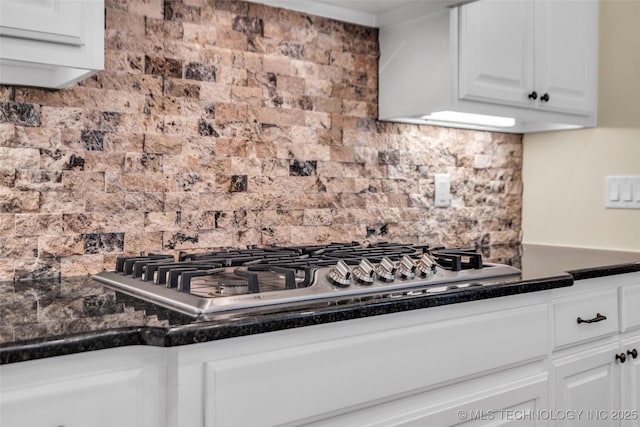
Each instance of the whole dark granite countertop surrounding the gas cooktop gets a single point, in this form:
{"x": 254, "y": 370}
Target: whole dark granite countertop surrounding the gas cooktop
{"x": 56, "y": 317}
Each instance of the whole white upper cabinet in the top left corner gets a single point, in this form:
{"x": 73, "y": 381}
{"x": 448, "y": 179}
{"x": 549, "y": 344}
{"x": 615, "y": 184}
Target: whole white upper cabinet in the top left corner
{"x": 50, "y": 43}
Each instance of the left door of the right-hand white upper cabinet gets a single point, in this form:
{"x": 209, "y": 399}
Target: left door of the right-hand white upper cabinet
{"x": 496, "y": 52}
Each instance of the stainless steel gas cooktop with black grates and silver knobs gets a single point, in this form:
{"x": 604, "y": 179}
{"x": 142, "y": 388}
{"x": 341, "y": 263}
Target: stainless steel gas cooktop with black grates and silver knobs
{"x": 203, "y": 284}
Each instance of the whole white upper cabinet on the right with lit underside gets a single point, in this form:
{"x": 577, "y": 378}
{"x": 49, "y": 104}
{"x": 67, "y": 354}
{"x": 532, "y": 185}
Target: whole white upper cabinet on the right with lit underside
{"x": 533, "y": 63}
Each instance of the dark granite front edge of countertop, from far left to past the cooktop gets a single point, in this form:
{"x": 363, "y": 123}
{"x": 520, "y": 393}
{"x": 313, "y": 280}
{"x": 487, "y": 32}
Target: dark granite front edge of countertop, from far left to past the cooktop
{"x": 210, "y": 331}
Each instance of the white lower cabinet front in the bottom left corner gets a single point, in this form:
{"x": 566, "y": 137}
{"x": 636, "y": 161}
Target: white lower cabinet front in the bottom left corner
{"x": 121, "y": 387}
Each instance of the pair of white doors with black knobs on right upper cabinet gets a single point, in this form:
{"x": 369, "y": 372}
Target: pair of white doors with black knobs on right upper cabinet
{"x": 537, "y": 54}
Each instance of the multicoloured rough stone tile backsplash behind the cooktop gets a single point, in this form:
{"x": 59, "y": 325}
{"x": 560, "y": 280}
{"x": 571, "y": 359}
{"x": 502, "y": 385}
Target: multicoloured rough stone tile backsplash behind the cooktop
{"x": 230, "y": 124}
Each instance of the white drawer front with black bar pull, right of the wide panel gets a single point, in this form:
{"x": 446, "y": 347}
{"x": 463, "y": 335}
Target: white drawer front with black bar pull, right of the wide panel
{"x": 598, "y": 314}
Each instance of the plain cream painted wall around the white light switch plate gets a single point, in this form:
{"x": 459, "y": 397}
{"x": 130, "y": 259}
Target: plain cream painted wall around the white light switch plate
{"x": 563, "y": 172}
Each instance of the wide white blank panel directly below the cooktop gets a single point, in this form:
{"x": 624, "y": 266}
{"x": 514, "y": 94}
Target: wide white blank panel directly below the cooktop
{"x": 334, "y": 375}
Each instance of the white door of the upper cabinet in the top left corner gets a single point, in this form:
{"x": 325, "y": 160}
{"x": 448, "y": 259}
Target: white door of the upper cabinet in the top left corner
{"x": 56, "y": 21}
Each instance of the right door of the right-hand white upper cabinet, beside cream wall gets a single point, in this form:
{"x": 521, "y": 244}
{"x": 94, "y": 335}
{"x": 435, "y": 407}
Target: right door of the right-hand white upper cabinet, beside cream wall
{"x": 565, "y": 57}
